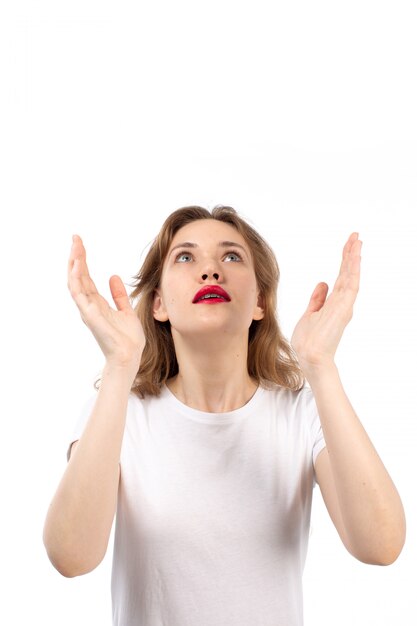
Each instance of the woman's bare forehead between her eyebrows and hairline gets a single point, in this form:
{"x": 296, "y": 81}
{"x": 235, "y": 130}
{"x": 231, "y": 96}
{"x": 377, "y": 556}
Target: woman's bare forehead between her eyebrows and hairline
{"x": 207, "y": 231}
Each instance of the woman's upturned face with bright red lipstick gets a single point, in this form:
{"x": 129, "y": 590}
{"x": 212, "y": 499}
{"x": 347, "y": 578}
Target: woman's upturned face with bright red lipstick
{"x": 207, "y": 253}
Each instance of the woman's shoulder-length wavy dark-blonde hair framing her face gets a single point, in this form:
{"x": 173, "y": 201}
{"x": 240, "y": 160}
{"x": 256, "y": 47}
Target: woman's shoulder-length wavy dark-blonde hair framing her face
{"x": 271, "y": 358}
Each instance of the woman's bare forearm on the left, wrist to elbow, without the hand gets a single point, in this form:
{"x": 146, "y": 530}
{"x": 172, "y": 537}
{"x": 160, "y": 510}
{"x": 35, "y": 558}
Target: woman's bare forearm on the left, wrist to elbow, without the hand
{"x": 80, "y": 517}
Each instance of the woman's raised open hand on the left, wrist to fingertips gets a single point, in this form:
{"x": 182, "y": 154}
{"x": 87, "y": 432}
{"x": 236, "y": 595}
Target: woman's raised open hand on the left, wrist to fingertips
{"x": 119, "y": 333}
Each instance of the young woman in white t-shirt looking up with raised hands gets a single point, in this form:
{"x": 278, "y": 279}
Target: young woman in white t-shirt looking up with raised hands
{"x": 206, "y": 440}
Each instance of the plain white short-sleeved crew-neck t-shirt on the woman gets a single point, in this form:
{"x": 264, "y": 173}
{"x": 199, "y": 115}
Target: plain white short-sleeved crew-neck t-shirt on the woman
{"x": 213, "y": 511}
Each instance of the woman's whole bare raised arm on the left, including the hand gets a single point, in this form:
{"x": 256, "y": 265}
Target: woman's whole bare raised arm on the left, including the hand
{"x": 80, "y": 517}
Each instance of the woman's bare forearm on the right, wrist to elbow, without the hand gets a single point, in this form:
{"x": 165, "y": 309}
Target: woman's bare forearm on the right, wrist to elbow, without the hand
{"x": 370, "y": 506}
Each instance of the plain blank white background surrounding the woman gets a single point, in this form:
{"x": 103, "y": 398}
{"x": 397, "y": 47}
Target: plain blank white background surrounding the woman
{"x": 301, "y": 115}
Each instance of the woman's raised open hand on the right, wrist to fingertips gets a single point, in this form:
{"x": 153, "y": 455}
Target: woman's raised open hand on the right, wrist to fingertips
{"x": 318, "y": 333}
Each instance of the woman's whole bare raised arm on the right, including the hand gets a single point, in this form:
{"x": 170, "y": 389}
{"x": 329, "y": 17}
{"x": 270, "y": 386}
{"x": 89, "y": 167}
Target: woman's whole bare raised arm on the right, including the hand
{"x": 357, "y": 489}
